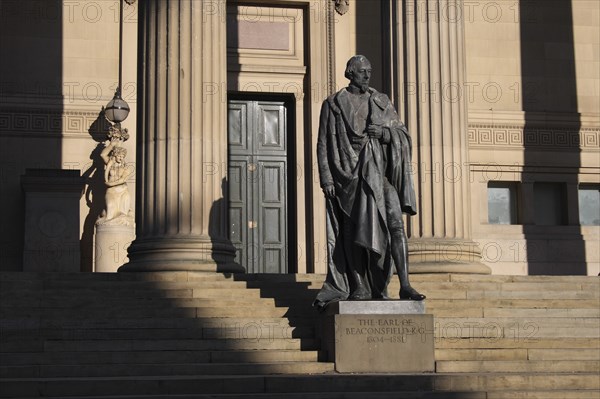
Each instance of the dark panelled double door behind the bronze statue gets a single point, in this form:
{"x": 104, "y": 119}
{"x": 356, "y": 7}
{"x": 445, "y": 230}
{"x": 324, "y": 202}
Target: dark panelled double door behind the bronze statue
{"x": 258, "y": 186}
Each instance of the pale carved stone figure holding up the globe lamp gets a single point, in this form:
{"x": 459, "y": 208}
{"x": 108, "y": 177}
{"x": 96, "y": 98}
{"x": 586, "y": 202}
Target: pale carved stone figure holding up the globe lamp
{"x": 116, "y": 173}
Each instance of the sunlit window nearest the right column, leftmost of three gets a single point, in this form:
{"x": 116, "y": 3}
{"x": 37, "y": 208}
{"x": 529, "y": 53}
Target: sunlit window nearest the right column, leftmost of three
{"x": 502, "y": 203}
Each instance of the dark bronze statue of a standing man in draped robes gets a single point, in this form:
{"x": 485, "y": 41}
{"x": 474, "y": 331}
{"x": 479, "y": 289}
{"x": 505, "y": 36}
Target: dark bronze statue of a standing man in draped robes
{"x": 364, "y": 155}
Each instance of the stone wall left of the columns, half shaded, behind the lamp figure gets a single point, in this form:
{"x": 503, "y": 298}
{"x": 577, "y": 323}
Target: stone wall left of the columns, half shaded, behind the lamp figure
{"x": 59, "y": 68}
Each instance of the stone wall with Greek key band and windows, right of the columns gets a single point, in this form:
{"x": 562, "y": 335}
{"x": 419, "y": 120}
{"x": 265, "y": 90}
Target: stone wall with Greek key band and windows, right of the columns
{"x": 533, "y": 95}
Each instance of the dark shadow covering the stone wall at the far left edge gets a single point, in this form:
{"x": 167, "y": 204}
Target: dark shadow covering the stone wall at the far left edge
{"x": 31, "y": 108}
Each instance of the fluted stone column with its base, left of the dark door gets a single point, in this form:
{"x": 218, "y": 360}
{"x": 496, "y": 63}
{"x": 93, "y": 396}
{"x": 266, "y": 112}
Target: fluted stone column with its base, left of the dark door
{"x": 181, "y": 208}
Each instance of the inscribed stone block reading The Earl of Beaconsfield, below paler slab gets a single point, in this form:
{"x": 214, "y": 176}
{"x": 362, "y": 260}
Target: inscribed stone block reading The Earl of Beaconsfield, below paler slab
{"x": 384, "y": 343}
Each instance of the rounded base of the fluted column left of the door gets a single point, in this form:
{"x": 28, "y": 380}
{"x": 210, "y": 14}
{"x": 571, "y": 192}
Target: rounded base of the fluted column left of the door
{"x": 199, "y": 254}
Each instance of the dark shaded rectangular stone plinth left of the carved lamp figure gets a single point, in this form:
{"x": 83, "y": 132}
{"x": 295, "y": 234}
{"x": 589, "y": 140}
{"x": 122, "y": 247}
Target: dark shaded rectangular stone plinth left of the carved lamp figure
{"x": 51, "y": 242}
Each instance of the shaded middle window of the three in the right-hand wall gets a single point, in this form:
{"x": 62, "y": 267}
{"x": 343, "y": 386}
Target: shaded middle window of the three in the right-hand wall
{"x": 550, "y": 204}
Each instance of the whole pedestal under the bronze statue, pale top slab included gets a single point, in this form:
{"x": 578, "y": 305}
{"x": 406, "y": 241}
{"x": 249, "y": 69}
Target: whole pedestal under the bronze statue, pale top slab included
{"x": 379, "y": 337}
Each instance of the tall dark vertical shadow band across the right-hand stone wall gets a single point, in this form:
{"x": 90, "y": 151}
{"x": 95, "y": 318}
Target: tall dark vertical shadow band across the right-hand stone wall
{"x": 553, "y": 235}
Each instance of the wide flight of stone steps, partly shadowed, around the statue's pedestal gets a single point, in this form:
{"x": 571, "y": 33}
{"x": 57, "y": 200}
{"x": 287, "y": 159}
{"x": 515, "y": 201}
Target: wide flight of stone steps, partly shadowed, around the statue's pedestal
{"x": 201, "y": 335}
